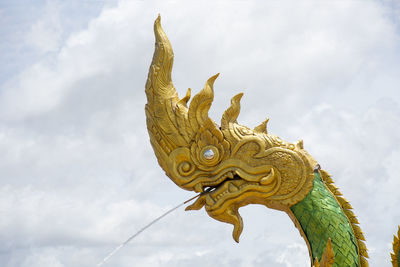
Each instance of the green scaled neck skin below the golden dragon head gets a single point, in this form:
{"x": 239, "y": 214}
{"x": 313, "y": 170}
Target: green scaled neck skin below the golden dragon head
{"x": 320, "y": 217}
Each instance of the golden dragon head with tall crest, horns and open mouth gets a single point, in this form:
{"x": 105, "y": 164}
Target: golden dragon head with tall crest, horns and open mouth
{"x": 232, "y": 165}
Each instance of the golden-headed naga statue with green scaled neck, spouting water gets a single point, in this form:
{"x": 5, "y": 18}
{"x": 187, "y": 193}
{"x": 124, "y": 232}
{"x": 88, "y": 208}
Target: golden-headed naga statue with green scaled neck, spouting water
{"x": 233, "y": 166}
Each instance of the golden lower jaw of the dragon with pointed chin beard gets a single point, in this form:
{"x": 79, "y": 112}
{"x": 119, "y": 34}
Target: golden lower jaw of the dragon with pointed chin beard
{"x": 223, "y": 201}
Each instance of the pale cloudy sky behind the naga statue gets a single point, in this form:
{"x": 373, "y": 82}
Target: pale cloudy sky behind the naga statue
{"x": 78, "y": 175}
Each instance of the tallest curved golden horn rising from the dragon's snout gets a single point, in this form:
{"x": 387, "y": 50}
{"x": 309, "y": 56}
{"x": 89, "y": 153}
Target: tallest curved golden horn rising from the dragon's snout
{"x": 162, "y": 98}
